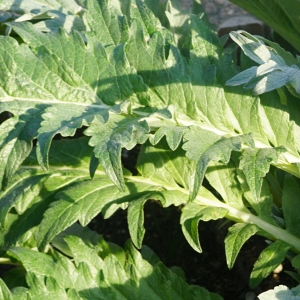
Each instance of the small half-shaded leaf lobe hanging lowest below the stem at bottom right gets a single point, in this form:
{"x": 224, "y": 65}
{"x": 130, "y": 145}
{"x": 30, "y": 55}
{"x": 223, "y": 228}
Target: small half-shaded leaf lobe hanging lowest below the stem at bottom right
{"x": 269, "y": 259}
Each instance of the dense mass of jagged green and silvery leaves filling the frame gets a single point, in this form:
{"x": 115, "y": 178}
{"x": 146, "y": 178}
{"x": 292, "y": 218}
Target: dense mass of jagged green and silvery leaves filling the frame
{"x": 130, "y": 73}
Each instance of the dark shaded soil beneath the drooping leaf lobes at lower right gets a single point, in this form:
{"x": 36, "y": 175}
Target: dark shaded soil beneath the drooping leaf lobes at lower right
{"x": 208, "y": 269}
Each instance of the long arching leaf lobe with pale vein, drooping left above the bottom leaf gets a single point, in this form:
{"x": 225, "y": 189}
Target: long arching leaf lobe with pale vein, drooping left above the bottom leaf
{"x": 84, "y": 200}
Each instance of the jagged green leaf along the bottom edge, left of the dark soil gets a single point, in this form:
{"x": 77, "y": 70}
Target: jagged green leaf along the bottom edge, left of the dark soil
{"x": 95, "y": 278}
